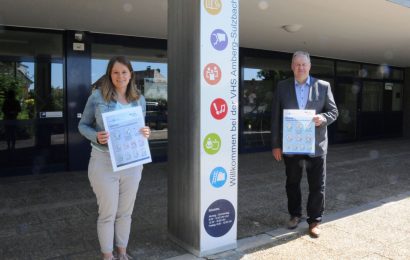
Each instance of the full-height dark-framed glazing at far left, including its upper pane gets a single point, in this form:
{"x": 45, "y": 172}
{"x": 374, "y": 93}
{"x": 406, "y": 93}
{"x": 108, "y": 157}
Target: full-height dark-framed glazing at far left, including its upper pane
{"x": 32, "y": 128}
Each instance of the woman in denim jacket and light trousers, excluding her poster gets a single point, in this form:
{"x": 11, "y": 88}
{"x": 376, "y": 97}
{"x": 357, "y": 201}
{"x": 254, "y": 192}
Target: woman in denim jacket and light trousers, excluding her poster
{"x": 115, "y": 191}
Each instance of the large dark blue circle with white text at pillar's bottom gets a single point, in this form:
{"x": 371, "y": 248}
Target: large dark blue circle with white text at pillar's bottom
{"x": 219, "y": 218}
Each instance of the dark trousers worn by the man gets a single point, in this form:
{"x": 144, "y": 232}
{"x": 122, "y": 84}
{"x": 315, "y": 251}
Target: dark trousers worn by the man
{"x": 316, "y": 176}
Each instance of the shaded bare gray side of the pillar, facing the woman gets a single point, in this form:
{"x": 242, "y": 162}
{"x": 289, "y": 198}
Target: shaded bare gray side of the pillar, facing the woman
{"x": 183, "y": 133}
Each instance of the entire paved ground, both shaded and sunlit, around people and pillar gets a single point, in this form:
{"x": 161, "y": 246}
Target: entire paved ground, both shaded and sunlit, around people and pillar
{"x": 53, "y": 216}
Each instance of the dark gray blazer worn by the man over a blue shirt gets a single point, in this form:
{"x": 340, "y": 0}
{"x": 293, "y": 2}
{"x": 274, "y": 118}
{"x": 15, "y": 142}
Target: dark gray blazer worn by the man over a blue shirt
{"x": 320, "y": 99}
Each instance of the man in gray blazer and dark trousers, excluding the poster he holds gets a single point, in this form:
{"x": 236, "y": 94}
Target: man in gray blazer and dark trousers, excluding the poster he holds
{"x": 304, "y": 92}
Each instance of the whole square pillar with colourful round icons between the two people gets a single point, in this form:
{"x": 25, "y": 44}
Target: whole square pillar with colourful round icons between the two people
{"x": 203, "y": 65}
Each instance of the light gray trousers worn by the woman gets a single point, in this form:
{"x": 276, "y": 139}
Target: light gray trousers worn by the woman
{"x": 116, "y": 193}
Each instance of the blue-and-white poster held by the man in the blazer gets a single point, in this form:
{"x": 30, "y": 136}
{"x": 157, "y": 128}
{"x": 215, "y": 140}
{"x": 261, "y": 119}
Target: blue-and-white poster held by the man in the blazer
{"x": 298, "y": 131}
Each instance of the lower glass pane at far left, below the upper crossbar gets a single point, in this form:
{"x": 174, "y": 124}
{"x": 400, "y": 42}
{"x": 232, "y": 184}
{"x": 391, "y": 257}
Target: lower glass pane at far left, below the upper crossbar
{"x": 32, "y": 136}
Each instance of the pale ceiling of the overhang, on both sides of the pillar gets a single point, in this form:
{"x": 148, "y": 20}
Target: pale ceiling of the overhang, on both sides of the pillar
{"x": 373, "y": 31}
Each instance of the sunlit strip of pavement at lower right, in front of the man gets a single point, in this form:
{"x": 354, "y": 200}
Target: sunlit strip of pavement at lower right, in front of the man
{"x": 364, "y": 232}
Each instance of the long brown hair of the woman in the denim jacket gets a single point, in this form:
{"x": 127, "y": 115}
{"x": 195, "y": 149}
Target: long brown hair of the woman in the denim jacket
{"x": 107, "y": 88}
